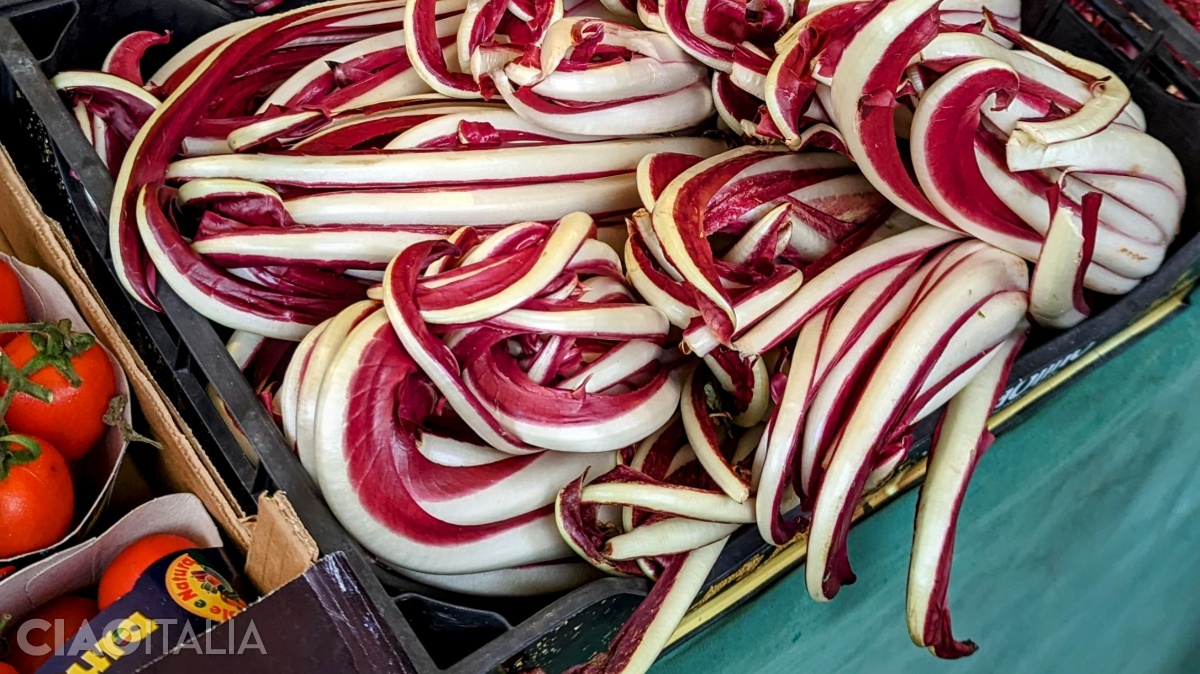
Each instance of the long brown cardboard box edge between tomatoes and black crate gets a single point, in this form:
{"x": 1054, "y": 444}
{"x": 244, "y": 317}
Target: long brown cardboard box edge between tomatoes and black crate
{"x": 39, "y": 240}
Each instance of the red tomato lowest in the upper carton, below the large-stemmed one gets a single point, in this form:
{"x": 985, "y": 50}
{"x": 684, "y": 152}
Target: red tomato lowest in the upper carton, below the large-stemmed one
{"x": 37, "y": 500}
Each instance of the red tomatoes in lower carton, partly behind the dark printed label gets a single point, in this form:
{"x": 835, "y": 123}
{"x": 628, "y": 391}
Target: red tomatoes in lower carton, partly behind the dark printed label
{"x": 76, "y": 611}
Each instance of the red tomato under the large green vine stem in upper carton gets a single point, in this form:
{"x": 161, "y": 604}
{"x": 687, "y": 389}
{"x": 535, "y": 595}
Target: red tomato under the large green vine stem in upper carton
{"x": 85, "y": 406}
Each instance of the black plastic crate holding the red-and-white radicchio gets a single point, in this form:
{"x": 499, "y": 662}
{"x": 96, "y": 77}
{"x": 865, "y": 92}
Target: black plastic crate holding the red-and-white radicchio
{"x": 440, "y": 631}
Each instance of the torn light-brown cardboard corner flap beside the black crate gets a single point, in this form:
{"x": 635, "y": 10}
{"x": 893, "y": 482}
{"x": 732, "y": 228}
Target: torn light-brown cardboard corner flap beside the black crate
{"x": 281, "y": 549}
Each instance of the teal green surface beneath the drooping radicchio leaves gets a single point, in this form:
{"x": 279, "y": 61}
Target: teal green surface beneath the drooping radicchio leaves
{"x": 1078, "y": 549}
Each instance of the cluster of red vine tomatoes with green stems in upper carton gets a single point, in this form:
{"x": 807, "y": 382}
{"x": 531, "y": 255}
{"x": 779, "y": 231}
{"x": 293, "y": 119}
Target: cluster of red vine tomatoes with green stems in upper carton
{"x": 56, "y": 389}
